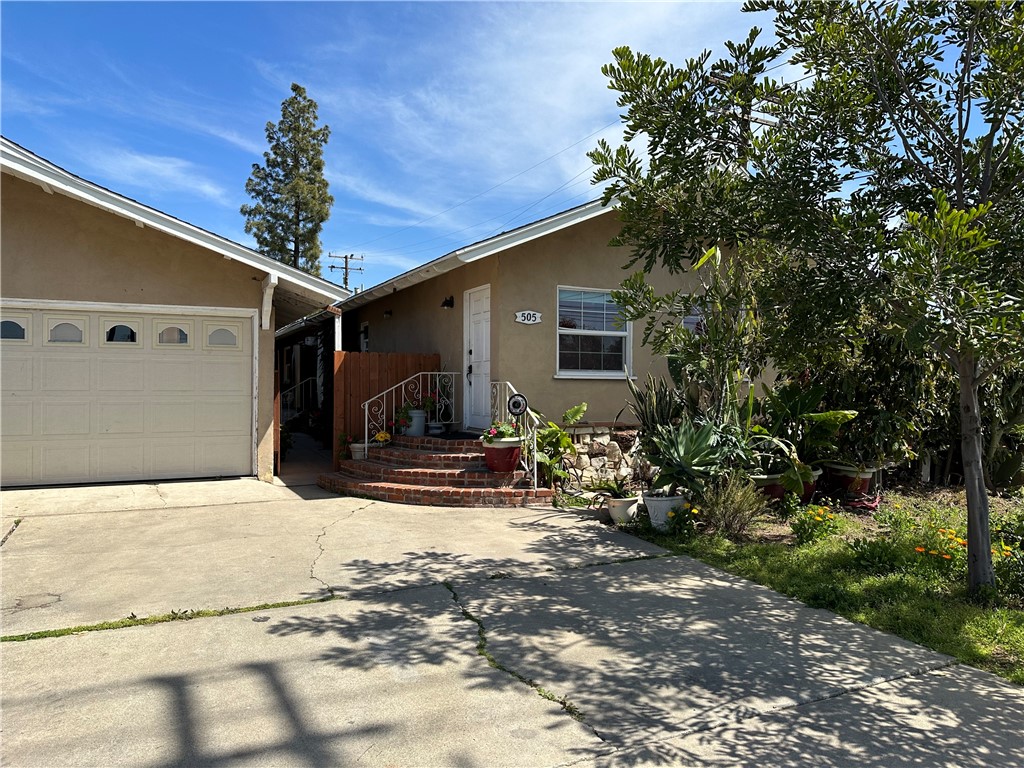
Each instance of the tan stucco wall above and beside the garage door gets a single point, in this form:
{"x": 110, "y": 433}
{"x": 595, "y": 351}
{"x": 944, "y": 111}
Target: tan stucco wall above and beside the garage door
{"x": 56, "y": 248}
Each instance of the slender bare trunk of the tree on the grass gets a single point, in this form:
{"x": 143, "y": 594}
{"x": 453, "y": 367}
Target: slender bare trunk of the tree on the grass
{"x": 979, "y": 540}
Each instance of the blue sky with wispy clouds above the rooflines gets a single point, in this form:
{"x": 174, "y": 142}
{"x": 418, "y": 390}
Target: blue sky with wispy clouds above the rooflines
{"x": 451, "y": 122}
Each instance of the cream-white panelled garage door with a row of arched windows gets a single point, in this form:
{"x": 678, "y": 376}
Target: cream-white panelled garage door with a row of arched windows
{"x": 102, "y": 397}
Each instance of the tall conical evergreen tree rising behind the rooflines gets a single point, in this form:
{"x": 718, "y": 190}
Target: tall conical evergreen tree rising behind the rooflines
{"x": 291, "y": 195}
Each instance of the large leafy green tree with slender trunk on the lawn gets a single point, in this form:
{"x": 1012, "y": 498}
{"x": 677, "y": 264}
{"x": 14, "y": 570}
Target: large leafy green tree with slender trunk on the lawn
{"x": 885, "y": 189}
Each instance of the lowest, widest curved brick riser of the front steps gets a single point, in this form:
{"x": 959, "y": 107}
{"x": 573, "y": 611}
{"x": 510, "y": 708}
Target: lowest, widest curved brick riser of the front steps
{"x": 437, "y": 497}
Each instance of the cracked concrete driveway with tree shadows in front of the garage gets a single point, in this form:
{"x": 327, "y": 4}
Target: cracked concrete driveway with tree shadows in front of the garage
{"x": 457, "y": 638}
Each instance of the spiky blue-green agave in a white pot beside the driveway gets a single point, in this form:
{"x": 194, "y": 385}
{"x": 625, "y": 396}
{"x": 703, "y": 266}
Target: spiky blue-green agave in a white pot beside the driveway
{"x": 687, "y": 456}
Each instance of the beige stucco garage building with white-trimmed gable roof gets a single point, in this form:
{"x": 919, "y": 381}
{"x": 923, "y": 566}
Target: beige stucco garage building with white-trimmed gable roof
{"x": 135, "y": 347}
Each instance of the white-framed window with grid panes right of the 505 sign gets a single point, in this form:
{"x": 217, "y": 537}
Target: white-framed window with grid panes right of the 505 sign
{"x": 593, "y": 338}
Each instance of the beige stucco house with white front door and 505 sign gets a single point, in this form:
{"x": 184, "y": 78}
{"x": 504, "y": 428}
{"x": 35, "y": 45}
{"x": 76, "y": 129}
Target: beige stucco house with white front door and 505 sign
{"x": 531, "y": 307}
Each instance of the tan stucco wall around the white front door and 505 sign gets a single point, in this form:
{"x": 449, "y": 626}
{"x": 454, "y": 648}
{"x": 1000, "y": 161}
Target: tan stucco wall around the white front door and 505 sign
{"x": 523, "y": 278}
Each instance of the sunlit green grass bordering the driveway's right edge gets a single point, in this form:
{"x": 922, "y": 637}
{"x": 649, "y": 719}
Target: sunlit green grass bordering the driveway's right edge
{"x": 921, "y": 600}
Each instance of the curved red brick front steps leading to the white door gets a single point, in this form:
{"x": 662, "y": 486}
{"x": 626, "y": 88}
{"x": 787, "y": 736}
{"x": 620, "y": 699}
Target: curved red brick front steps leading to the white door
{"x": 436, "y": 473}
